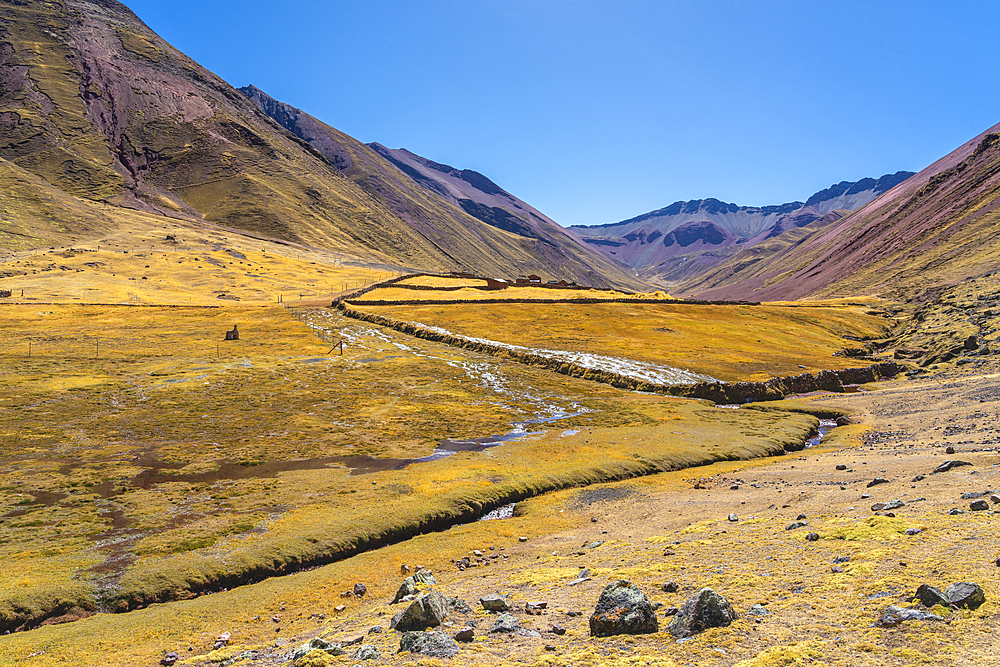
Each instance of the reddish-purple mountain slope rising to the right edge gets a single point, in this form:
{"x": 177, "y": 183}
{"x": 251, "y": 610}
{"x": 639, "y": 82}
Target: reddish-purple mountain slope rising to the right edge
{"x": 931, "y": 231}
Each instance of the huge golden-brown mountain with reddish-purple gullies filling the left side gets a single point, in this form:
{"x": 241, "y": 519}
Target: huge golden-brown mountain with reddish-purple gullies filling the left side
{"x": 99, "y": 116}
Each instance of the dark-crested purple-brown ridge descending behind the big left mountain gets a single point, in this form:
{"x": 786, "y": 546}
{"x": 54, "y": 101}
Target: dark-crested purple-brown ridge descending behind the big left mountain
{"x": 462, "y": 212}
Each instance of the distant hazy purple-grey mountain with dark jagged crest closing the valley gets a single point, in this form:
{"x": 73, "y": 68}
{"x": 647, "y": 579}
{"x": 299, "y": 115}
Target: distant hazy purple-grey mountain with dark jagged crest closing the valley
{"x": 685, "y": 238}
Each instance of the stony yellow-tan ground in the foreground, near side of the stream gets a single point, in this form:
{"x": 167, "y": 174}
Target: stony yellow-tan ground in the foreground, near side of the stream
{"x": 651, "y": 531}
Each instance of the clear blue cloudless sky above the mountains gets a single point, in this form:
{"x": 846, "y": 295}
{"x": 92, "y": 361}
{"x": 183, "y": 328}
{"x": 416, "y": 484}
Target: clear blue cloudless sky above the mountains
{"x": 595, "y": 111}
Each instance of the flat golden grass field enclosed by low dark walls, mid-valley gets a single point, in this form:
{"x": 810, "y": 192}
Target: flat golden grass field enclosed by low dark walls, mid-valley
{"x": 727, "y": 342}
